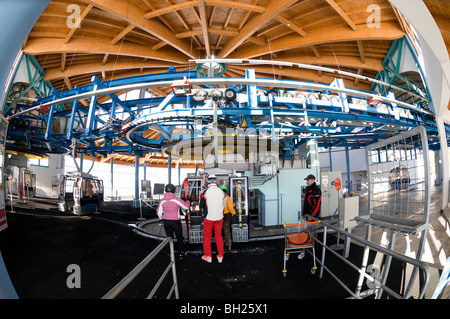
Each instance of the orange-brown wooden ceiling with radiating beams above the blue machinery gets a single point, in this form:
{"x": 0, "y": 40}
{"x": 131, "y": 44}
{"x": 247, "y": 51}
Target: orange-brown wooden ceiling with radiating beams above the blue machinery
{"x": 121, "y": 38}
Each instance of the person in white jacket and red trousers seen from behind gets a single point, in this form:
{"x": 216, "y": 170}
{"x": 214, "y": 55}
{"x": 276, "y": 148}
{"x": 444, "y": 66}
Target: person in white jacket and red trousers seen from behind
{"x": 212, "y": 202}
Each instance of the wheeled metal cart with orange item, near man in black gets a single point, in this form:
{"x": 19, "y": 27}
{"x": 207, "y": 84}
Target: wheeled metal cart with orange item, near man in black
{"x": 299, "y": 237}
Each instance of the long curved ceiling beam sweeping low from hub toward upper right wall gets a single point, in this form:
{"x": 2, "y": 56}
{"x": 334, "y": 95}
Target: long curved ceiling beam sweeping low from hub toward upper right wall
{"x": 388, "y": 31}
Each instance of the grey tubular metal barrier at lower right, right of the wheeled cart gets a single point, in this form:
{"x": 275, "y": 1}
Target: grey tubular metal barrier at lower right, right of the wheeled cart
{"x": 378, "y": 280}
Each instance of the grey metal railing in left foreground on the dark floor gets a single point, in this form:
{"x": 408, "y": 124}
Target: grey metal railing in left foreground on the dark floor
{"x": 129, "y": 278}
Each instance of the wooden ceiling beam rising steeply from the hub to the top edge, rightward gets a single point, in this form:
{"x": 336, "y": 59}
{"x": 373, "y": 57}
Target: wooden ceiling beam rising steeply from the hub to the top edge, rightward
{"x": 273, "y": 9}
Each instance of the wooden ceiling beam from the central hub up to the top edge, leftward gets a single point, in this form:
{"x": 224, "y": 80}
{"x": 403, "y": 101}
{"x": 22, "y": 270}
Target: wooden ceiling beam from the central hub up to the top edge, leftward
{"x": 125, "y": 10}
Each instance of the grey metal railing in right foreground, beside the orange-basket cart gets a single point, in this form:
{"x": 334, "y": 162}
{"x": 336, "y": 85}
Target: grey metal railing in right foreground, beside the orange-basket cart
{"x": 362, "y": 270}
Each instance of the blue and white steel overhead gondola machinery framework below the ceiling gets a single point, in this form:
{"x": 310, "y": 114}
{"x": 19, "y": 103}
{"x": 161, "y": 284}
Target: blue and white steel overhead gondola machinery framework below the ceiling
{"x": 297, "y": 111}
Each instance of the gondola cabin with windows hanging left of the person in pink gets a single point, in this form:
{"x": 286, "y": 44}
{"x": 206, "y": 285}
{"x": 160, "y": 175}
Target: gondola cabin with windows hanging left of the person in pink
{"x": 80, "y": 193}
